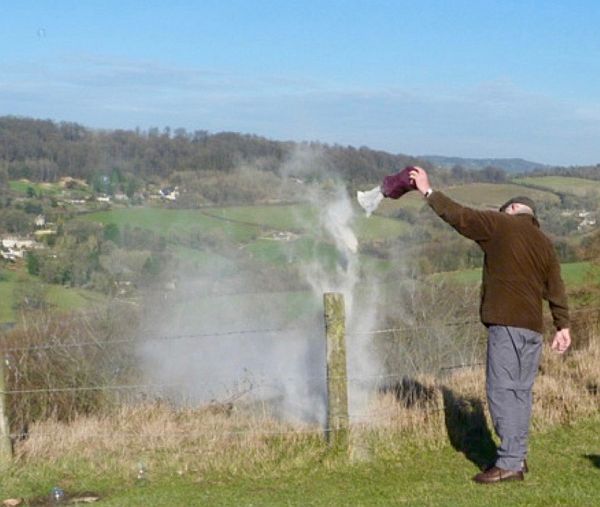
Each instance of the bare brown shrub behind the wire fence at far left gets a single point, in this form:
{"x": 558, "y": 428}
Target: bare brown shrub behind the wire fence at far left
{"x": 57, "y": 366}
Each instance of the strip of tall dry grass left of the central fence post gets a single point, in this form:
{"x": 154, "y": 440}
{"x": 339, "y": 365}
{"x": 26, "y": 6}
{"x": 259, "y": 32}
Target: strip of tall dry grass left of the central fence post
{"x": 169, "y": 439}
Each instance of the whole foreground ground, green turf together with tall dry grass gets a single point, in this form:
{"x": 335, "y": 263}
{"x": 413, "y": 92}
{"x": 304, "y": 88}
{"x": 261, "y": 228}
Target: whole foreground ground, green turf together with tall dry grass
{"x": 420, "y": 454}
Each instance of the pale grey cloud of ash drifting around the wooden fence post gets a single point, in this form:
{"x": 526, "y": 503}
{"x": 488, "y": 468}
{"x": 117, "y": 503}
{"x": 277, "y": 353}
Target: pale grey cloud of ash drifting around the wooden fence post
{"x": 219, "y": 337}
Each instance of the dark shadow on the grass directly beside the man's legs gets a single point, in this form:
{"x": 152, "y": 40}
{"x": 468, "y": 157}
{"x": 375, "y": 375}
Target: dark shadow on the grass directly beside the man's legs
{"x": 467, "y": 428}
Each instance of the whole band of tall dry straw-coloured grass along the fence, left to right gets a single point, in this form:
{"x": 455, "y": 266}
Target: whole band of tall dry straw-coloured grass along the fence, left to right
{"x": 230, "y": 438}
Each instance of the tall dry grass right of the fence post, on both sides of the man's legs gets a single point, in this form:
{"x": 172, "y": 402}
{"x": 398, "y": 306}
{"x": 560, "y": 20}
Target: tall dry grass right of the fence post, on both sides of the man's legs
{"x": 566, "y": 389}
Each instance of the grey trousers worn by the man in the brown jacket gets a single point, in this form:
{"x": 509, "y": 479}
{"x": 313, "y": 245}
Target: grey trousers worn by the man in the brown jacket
{"x": 513, "y": 357}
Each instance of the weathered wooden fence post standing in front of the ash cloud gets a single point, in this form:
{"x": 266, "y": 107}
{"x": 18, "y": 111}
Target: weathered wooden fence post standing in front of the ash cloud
{"x": 337, "y": 385}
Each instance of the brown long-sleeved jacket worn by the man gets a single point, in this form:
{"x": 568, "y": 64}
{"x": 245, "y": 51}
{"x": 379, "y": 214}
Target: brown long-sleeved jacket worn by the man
{"x": 520, "y": 267}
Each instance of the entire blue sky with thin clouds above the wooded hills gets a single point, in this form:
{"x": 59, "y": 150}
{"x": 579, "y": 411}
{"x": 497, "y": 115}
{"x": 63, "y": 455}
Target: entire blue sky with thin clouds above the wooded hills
{"x": 468, "y": 78}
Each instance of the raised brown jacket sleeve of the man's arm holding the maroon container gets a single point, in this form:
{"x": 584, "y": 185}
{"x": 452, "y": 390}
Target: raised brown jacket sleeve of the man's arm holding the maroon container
{"x": 473, "y": 224}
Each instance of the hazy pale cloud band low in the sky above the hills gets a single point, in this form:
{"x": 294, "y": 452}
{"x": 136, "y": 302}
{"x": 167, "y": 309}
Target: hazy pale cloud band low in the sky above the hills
{"x": 494, "y": 119}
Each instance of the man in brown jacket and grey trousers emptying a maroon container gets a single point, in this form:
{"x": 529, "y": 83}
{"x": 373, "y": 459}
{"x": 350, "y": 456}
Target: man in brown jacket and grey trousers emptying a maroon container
{"x": 520, "y": 269}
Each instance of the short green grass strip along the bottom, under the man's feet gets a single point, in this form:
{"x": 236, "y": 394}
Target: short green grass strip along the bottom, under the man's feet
{"x": 564, "y": 470}
